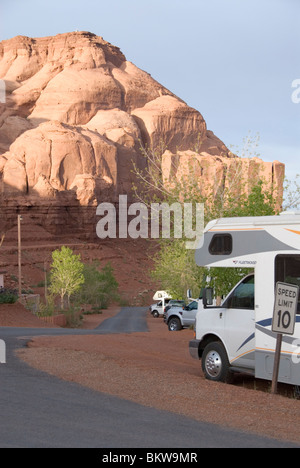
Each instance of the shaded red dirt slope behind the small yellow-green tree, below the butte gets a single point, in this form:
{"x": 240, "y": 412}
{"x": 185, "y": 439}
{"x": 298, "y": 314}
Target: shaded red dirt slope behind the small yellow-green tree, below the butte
{"x": 131, "y": 261}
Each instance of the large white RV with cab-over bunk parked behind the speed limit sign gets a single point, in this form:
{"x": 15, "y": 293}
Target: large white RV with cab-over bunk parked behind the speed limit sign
{"x": 238, "y": 335}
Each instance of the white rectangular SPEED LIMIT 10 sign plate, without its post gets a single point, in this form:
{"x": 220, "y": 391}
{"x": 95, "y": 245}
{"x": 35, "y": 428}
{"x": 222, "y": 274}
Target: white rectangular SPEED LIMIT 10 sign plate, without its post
{"x": 285, "y": 308}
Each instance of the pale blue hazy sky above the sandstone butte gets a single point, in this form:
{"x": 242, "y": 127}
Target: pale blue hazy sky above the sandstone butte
{"x": 235, "y": 61}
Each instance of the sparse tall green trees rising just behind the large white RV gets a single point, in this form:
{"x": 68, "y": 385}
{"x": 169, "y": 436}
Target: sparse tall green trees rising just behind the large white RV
{"x": 174, "y": 265}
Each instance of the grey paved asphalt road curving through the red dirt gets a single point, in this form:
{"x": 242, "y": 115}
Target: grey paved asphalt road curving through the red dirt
{"x": 38, "y": 410}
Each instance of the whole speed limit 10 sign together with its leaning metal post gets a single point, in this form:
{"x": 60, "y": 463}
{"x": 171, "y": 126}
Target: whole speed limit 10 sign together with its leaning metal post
{"x": 284, "y": 317}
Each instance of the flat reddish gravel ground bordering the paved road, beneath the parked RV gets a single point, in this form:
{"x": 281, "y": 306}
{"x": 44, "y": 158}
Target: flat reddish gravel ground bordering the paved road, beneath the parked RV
{"x": 155, "y": 369}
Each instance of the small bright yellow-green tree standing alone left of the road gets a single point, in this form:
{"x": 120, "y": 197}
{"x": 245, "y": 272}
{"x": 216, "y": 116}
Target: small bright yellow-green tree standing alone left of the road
{"x": 66, "y": 274}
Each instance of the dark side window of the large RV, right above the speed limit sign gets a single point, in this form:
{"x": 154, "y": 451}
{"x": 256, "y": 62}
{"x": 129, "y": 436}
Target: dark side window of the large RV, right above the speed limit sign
{"x": 287, "y": 270}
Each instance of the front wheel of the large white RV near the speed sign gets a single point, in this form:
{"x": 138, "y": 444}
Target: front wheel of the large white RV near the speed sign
{"x": 215, "y": 364}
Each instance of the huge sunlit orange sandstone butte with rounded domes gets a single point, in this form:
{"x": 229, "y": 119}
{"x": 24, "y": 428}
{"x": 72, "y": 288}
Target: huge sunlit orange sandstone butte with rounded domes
{"x": 75, "y": 115}
